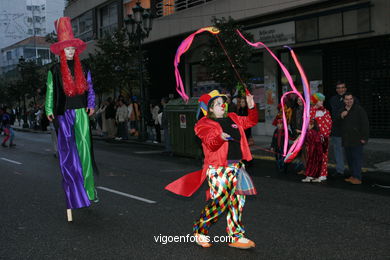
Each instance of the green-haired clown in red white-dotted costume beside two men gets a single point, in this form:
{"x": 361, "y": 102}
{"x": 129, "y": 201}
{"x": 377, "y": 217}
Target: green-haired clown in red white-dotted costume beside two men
{"x": 324, "y": 122}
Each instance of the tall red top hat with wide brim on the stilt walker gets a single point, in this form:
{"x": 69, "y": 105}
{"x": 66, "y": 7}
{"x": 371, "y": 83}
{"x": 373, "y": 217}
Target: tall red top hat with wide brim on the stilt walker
{"x": 65, "y": 36}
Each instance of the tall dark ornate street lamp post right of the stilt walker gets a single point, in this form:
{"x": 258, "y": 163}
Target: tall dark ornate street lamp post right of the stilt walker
{"x": 138, "y": 27}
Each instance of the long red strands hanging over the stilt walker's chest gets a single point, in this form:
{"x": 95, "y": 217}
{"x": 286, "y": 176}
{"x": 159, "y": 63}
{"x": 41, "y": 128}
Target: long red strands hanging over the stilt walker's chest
{"x": 78, "y": 84}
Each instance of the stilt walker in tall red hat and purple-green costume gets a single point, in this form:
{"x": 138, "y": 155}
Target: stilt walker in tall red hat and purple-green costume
{"x": 70, "y": 99}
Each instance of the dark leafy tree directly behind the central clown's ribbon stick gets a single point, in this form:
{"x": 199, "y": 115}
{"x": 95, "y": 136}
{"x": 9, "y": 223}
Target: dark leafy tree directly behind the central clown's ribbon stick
{"x": 217, "y": 62}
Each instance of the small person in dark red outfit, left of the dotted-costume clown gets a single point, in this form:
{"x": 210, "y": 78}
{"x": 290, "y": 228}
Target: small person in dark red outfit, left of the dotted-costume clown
{"x": 314, "y": 152}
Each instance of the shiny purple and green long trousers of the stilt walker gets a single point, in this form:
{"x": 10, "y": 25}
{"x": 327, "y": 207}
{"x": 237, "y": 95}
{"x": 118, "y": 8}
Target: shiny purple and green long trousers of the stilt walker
{"x": 74, "y": 152}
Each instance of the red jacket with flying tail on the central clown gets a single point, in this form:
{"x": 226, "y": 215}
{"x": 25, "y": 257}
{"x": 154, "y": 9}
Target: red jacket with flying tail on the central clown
{"x": 215, "y": 150}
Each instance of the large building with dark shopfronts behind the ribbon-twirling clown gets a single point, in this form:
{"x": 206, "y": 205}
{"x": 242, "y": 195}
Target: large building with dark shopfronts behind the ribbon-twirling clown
{"x": 344, "y": 40}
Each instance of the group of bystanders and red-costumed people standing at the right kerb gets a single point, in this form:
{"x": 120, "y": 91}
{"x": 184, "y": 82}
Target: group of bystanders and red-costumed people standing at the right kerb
{"x": 345, "y": 127}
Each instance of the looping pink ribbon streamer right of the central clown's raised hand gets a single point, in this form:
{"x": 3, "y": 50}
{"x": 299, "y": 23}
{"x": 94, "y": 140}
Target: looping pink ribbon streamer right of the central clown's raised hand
{"x": 296, "y": 146}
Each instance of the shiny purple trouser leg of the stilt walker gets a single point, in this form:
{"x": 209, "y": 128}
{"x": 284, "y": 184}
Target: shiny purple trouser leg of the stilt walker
{"x": 72, "y": 174}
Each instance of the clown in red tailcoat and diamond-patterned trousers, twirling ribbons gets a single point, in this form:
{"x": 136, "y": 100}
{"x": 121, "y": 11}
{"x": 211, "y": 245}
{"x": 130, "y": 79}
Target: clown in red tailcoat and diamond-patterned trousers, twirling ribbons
{"x": 224, "y": 146}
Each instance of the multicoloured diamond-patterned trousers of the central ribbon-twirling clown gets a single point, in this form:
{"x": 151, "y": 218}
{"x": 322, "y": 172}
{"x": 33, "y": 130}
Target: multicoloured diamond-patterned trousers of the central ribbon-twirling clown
{"x": 222, "y": 182}
